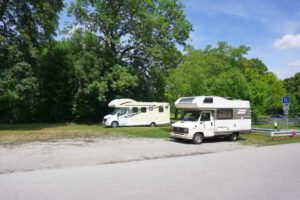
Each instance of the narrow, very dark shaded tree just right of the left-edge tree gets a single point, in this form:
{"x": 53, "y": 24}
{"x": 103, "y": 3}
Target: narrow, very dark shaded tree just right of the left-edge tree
{"x": 57, "y": 83}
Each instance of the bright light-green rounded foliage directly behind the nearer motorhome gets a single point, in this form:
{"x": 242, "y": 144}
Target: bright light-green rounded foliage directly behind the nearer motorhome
{"x": 225, "y": 71}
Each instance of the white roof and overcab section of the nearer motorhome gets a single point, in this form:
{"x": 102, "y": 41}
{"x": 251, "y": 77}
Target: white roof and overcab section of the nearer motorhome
{"x": 209, "y": 102}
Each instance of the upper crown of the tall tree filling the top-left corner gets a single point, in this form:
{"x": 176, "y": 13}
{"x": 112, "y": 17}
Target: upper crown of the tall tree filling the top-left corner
{"x": 24, "y": 25}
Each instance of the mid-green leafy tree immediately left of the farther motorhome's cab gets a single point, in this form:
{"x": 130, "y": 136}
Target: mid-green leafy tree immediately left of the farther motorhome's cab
{"x": 86, "y": 78}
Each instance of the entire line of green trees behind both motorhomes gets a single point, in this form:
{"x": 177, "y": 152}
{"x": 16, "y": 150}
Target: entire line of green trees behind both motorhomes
{"x": 116, "y": 49}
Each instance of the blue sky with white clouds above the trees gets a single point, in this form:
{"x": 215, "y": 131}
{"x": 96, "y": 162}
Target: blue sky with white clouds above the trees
{"x": 270, "y": 28}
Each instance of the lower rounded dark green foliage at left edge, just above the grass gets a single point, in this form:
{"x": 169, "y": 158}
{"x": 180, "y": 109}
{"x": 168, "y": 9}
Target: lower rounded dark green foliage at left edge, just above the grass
{"x": 18, "y": 93}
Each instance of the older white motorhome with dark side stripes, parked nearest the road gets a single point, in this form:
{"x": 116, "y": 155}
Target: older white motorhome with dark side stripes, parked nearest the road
{"x": 208, "y": 116}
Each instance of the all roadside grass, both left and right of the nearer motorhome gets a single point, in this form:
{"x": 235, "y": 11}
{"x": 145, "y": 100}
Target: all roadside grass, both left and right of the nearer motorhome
{"x": 18, "y": 133}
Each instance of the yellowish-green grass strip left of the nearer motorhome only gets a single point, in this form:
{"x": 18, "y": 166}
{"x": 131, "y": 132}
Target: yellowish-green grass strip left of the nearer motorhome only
{"x": 14, "y": 133}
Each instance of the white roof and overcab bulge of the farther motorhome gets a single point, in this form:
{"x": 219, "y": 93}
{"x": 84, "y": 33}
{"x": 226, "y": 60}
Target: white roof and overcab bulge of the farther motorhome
{"x": 119, "y": 103}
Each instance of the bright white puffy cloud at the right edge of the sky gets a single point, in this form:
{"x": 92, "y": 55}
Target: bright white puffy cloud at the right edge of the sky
{"x": 288, "y": 41}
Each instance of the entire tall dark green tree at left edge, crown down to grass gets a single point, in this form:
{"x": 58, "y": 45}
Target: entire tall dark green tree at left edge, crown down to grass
{"x": 25, "y": 26}
